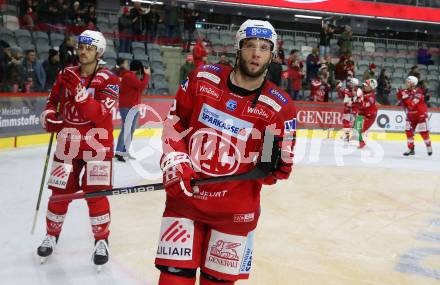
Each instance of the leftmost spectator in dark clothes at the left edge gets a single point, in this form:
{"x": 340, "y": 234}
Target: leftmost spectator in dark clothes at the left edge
{"x": 13, "y": 80}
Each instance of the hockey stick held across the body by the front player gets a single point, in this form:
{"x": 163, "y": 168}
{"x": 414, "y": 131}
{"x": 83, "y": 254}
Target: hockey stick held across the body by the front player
{"x": 256, "y": 173}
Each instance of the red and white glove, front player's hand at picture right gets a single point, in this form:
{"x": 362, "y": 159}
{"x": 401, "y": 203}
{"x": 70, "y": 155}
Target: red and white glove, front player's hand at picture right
{"x": 285, "y": 163}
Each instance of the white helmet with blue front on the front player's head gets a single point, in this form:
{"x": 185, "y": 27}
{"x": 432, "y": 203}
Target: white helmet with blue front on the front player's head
{"x": 257, "y": 29}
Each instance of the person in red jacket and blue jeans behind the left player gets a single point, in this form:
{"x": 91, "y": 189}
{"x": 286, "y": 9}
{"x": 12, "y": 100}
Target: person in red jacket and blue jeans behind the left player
{"x": 133, "y": 84}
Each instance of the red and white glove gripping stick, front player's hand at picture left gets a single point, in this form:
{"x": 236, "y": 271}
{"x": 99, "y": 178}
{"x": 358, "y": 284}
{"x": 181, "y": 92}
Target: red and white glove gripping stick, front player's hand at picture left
{"x": 177, "y": 174}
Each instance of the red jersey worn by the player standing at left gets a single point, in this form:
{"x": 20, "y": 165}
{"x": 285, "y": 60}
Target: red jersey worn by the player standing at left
{"x": 90, "y": 124}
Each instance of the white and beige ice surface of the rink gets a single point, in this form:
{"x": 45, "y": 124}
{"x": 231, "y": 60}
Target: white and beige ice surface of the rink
{"x": 345, "y": 217}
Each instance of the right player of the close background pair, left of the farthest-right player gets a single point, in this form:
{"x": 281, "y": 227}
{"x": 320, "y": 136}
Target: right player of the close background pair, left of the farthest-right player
{"x": 368, "y": 108}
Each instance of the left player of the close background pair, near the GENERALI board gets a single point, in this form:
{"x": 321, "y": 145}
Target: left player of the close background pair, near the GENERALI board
{"x": 350, "y": 96}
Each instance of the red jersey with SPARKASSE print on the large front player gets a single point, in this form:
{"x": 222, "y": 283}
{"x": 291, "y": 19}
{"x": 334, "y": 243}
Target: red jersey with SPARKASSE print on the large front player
{"x": 214, "y": 122}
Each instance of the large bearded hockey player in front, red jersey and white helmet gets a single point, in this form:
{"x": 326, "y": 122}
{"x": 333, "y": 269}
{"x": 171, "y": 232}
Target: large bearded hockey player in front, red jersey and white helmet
{"x": 215, "y": 128}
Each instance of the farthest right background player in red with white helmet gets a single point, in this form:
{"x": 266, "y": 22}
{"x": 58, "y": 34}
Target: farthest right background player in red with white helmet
{"x": 413, "y": 102}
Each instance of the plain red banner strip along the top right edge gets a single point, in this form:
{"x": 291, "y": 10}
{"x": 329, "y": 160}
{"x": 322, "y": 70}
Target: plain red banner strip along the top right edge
{"x": 353, "y": 7}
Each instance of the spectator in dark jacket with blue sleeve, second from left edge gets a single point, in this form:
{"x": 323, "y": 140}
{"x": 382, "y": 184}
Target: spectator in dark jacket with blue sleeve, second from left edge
{"x": 33, "y": 73}
